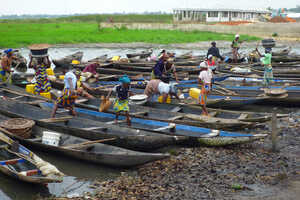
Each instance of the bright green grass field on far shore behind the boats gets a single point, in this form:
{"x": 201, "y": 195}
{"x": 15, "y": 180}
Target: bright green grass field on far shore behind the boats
{"x": 23, "y": 34}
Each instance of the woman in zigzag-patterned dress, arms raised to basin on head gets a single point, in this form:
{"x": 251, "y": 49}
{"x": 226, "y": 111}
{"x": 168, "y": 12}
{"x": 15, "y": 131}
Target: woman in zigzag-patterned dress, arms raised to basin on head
{"x": 40, "y": 66}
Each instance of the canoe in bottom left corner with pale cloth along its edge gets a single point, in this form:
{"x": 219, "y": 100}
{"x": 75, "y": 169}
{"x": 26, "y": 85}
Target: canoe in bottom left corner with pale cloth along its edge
{"x": 18, "y": 162}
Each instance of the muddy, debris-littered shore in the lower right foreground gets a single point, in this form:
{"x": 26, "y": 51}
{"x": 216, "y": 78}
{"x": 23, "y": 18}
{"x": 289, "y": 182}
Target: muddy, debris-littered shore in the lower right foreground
{"x": 250, "y": 171}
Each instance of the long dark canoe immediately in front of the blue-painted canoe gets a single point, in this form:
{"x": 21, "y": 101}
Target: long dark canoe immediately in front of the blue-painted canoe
{"x": 90, "y": 129}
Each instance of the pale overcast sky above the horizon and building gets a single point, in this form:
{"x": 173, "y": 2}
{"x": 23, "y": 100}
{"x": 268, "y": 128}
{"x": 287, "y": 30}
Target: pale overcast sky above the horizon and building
{"x": 111, "y": 6}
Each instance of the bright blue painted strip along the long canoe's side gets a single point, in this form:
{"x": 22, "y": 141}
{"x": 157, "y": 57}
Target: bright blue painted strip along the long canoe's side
{"x": 199, "y": 130}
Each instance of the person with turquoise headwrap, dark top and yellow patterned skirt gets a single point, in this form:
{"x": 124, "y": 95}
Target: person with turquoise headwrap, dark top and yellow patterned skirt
{"x": 123, "y": 92}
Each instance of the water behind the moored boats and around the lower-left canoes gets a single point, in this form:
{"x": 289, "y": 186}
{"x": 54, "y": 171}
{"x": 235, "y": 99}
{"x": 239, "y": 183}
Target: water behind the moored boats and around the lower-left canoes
{"x": 80, "y": 174}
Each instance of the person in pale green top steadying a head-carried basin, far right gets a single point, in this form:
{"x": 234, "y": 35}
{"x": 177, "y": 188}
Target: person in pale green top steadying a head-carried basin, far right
{"x": 266, "y": 61}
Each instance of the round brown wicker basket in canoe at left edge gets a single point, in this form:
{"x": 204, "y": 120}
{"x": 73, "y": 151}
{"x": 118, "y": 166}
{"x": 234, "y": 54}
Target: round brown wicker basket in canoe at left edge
{"x": 19, "y": 126}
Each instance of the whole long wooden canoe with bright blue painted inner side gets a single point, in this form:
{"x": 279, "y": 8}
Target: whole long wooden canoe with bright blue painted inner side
{"x": 166, "y": 128}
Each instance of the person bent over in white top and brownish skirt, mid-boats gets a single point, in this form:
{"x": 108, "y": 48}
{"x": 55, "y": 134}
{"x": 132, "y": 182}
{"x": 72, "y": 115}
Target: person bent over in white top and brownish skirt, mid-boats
{"x": 157, "y": 87}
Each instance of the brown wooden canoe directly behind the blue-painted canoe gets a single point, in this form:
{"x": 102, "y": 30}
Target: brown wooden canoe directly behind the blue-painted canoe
{"x": 219, "y": 119}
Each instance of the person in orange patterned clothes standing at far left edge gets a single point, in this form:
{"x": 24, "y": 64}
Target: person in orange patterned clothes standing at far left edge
{"x": 5, "y": 66}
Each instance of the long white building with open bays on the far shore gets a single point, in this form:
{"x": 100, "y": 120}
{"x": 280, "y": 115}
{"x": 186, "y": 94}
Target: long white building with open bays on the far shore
{"x": 216, "y": 15}
